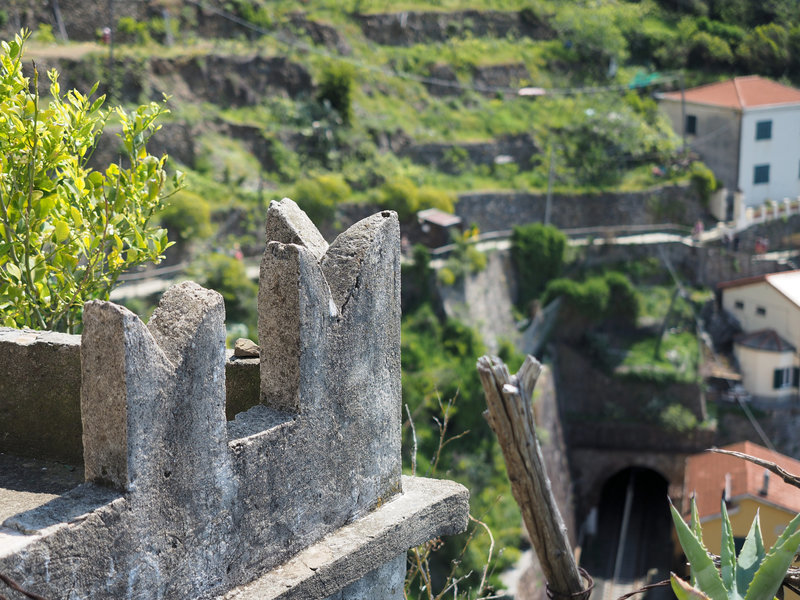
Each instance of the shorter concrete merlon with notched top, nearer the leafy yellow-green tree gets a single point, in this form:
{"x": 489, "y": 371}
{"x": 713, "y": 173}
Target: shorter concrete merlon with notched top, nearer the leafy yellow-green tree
{"x": 138, "y": 382}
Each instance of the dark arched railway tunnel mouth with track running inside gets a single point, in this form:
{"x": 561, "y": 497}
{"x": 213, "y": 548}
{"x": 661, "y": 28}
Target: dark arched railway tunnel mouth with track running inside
{"x": 628, "y": 536}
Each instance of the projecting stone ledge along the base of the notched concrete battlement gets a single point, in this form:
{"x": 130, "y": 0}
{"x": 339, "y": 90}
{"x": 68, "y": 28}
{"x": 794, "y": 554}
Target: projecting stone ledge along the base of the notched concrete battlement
{"x": 427, "y": 508}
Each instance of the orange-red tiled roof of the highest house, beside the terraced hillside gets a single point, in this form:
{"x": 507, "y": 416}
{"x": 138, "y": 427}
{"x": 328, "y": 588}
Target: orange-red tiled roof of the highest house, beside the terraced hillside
{"x": 740, "y": 92}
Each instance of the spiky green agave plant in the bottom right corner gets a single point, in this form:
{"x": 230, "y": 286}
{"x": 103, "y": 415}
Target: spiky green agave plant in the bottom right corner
{"x": 753, "y": 575}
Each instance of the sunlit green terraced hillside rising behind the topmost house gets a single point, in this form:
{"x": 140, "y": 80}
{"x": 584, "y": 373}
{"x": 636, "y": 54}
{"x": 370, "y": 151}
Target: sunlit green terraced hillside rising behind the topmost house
{"x": 408, "y": 104}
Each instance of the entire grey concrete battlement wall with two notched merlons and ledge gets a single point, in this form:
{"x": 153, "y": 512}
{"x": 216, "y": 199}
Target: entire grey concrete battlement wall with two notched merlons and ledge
{"x": 299, "y": 496}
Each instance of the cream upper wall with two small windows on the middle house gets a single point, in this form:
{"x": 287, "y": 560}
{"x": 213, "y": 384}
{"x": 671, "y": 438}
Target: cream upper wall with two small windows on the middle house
{"x": 780, "y": 313}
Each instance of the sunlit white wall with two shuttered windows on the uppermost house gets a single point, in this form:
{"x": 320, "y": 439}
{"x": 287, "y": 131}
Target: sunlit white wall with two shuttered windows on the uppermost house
{"x": 781, "y": 152}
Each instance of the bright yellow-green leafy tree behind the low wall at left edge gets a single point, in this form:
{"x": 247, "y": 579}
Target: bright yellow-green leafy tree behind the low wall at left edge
{"x": 67, "y": 231}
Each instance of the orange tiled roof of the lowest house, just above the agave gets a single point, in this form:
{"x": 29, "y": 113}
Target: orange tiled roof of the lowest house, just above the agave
{"x": 705, "y": 477}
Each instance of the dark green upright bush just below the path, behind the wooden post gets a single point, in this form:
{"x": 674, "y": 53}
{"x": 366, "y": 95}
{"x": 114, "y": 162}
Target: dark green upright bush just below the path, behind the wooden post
{"x": 538, "y": 253}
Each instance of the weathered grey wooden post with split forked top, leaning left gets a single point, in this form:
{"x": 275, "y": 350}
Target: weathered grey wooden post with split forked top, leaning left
{"x": 510, "y": 414}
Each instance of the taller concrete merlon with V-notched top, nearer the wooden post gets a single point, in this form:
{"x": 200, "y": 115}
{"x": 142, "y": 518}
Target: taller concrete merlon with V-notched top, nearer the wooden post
{"x": 316, "y": 307}
